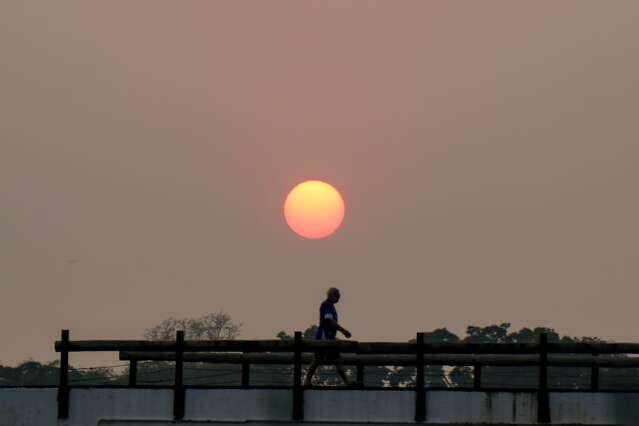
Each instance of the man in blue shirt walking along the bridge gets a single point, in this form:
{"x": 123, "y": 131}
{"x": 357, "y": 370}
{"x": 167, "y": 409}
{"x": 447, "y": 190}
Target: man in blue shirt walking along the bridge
{"x": 328, "y": 328}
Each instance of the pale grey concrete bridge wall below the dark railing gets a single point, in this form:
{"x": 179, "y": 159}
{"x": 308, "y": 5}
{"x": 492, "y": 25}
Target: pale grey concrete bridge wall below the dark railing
{"x": 124, "y": 407}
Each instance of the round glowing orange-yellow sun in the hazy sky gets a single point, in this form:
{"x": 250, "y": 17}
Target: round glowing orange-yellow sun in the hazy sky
{"x": 314, "y": 209}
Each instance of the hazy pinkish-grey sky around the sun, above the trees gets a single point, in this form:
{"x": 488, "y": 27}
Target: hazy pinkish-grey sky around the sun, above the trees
{"x": 487, "y": 154}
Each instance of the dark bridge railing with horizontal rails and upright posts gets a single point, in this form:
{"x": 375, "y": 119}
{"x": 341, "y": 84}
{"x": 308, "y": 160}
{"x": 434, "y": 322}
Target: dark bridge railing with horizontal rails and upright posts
{"x": 298, "y": 352}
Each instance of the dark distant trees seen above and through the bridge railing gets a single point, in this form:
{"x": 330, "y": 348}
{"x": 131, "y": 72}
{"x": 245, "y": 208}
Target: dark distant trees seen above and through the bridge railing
{"x": 220, "y": 326}
